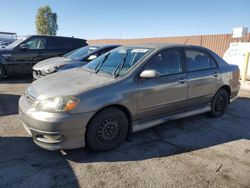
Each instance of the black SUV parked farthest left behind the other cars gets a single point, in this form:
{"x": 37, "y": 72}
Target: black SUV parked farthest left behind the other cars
{"x": 21, "y": 55}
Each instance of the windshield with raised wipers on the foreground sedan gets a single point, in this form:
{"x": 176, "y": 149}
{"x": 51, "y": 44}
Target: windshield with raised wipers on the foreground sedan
{"x": 118, "y": 61}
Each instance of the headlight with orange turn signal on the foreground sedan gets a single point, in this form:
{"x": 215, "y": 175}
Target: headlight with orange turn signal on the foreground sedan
{"x": 58, "y": 104}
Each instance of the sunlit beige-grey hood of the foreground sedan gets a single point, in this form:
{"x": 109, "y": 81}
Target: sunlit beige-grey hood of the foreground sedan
{"x": 69, "y": 82}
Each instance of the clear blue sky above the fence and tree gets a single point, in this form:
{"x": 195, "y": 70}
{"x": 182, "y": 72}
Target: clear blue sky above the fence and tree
{"x": 121, "y": 19}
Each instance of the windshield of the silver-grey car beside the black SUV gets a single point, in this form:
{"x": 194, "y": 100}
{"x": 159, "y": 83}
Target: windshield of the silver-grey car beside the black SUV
{"x": 80, "y": 52}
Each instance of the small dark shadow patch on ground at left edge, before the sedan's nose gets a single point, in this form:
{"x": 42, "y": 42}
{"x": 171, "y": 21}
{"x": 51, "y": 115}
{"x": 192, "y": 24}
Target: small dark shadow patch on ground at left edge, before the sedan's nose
{"x": 8, "y": 104}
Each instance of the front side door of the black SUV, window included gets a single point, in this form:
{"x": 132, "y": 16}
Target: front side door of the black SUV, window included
{"x": 27, "y": 54}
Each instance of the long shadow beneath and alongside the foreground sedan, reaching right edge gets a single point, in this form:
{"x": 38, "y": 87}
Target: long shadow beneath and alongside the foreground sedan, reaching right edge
{"x": 177, "y": 137}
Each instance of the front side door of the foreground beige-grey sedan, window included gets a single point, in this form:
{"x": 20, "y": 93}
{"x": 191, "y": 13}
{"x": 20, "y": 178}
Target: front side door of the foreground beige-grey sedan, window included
{"x": 166, "y": 94}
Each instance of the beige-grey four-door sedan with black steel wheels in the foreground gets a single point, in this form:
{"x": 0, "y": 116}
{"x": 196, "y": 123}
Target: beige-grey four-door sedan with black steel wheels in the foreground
{"x": 128, "y": 89}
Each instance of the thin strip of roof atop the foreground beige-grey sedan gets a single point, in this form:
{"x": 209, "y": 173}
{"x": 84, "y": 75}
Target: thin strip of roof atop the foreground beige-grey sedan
{"x": 161, "y": 45}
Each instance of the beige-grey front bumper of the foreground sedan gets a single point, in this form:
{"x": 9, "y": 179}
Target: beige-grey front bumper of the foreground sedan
{"x": 54, "y": 131}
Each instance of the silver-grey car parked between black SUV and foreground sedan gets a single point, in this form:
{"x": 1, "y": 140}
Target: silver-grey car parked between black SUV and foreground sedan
{"x": 76, "y": 58}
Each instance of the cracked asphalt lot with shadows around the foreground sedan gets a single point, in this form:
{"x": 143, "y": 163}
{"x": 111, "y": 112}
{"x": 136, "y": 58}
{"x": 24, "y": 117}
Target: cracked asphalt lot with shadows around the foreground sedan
{"x": 191, "y": 152}
